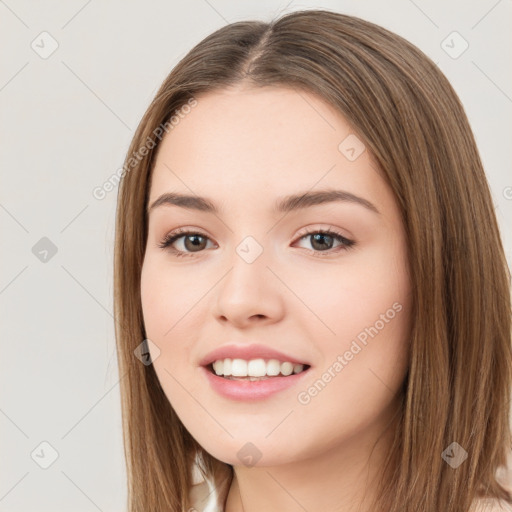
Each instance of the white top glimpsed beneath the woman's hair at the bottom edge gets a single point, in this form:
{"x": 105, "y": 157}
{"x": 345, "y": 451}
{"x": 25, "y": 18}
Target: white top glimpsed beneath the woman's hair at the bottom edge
{"x": 210, "y": 495}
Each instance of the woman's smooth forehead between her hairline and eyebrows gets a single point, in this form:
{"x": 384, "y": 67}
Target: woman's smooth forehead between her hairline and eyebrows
{"x": 251, "y": 145}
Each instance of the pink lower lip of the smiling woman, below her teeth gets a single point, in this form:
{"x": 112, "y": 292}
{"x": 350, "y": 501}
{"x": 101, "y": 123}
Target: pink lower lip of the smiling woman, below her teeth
{"x": 243, "y": 390}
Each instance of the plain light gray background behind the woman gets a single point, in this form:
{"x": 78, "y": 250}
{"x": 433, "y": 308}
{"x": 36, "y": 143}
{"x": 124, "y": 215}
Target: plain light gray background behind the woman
{"x": 66, "y": 122}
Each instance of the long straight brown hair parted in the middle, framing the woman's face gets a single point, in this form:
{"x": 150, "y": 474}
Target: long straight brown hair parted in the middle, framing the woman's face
{"x": 403, "y": 108}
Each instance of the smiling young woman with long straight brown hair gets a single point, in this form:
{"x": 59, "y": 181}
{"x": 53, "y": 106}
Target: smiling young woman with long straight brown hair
{"x": 312, "y": 299}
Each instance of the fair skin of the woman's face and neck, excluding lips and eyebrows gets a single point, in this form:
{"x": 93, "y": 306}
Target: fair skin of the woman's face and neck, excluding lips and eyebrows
{"x": 243, "y": 148}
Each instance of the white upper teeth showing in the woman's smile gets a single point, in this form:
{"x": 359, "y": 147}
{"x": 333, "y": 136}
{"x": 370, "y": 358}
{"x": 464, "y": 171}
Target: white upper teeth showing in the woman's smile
{"x": 254, "y": 368}
